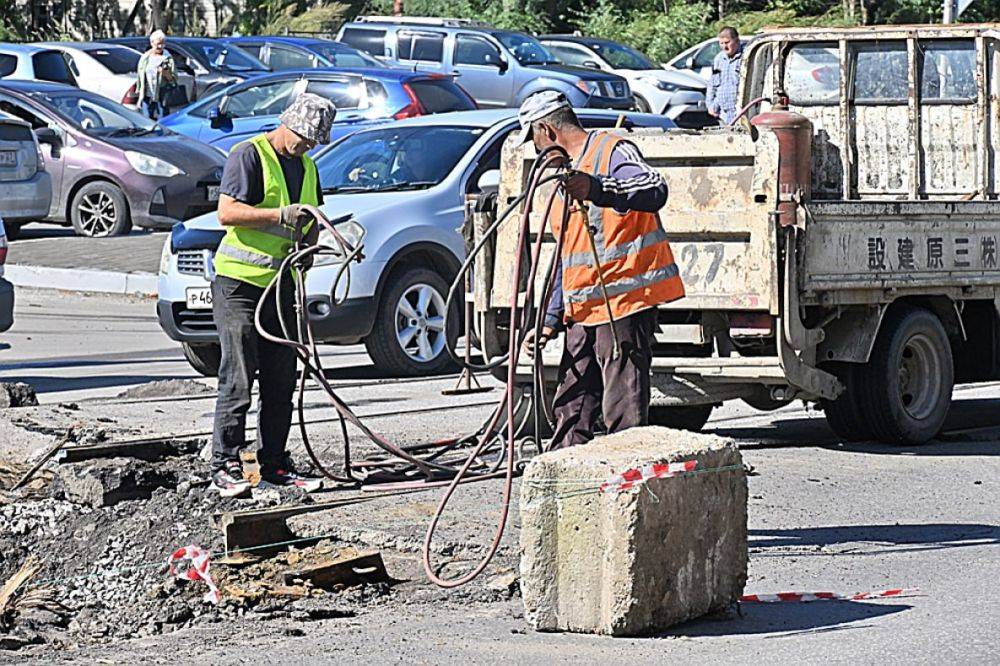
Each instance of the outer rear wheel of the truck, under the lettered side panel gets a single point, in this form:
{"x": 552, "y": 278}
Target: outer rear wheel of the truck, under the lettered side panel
{"x": 907, "y": 382}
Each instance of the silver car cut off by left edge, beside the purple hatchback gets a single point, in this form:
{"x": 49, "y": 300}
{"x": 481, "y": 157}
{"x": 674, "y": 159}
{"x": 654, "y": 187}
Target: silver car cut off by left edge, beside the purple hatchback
{"x": 25, "y": 186}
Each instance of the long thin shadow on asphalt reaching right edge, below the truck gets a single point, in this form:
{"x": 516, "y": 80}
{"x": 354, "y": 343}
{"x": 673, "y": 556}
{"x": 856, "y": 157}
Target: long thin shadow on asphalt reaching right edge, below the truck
{"x": 910, "y": 538}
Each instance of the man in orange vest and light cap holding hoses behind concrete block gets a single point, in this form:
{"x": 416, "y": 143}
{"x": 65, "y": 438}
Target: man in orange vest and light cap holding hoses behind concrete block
{"x": 615, "y": 197}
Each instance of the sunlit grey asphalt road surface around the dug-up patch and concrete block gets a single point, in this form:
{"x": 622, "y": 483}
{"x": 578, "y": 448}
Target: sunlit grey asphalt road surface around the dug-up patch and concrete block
{"x": 823, "y": 516}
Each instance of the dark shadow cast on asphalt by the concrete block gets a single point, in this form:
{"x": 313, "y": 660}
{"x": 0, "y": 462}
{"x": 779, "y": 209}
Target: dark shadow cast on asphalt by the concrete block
{"x": 789, "y": 617}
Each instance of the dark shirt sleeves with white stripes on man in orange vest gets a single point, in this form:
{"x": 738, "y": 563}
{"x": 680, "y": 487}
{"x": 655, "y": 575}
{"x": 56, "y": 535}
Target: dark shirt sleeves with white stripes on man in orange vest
{"x": 631, "y": 185}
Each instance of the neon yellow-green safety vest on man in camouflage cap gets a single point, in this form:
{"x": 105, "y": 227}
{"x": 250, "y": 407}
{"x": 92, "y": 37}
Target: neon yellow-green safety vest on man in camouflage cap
{"x": 254, "y": 254}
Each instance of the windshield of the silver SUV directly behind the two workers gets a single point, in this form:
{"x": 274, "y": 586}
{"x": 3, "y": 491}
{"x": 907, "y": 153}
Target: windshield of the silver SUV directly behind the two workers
{"x": 400, "y": 158}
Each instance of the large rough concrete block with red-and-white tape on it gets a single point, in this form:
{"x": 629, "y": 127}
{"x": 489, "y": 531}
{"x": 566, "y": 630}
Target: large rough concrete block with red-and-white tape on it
{"x": 639, "y": 561}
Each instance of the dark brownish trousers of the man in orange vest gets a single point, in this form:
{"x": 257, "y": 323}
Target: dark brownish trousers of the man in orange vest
{"x": 592, "y": 383}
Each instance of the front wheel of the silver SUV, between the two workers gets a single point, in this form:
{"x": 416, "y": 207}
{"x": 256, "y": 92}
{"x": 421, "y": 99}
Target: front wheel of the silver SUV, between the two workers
{"x": 409, "y": 336}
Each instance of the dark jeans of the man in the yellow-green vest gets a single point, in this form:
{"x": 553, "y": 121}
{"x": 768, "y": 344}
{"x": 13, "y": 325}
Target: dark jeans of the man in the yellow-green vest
{"x": 246, "y": 354}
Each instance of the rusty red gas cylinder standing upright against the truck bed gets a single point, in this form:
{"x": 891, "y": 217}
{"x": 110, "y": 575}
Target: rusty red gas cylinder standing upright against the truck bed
{"x": 794, "y": 132}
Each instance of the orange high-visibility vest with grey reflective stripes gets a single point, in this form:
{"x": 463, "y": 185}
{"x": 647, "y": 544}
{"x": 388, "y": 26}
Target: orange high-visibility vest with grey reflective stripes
{"x": 636, "y": 261}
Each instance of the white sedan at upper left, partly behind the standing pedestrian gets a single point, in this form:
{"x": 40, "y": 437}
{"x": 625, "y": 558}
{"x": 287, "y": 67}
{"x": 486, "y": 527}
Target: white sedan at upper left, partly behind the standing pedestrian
{"x": 109, "y": 69}
